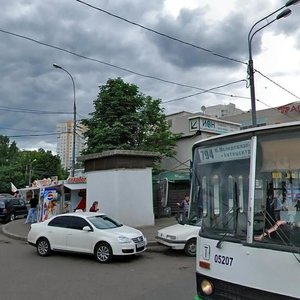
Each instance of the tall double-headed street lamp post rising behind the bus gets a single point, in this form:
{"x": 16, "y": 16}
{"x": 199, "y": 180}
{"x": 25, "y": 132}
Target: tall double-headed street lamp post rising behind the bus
{"x": 283, "y": 14}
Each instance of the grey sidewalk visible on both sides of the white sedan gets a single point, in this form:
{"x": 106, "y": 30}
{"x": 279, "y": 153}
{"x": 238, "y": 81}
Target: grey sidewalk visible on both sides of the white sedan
{"x": 18, "y": 230}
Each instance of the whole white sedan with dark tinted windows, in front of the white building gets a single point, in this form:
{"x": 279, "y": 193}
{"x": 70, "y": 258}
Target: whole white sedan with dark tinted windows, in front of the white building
{"x": 86, "y": 232}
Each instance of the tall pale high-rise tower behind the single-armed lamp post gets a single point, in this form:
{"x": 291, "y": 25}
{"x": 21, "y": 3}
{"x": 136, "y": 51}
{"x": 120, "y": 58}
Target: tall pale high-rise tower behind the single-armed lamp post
{"x": 65, "y": 142}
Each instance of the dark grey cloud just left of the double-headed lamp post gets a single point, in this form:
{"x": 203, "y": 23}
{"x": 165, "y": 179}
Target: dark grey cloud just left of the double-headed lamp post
{"x": 227, "y": 38}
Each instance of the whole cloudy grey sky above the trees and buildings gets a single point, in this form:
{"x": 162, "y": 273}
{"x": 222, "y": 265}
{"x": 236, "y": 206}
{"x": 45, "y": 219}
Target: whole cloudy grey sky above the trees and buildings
{"x": 171, "y": 49}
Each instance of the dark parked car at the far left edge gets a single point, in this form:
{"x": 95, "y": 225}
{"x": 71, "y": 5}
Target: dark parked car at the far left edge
{"x": 12, "y": 208}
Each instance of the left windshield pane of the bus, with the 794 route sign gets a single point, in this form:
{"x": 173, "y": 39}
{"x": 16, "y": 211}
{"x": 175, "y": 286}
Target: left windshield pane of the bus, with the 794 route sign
{"x": 220, "y": 184}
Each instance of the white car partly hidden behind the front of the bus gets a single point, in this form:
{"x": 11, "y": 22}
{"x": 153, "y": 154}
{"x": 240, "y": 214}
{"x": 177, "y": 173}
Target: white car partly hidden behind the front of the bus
{"x": 180, "y": 236}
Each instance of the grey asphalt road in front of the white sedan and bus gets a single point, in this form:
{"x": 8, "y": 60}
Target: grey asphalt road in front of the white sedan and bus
{"x": 159, "y": 274}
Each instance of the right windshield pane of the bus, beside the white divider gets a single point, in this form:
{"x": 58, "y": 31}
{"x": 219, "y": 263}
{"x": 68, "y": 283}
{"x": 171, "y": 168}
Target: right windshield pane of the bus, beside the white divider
{"x": 276, "y": 216}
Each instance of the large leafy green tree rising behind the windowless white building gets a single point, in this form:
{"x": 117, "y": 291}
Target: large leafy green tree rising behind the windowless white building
{"x": 126, "y": 119}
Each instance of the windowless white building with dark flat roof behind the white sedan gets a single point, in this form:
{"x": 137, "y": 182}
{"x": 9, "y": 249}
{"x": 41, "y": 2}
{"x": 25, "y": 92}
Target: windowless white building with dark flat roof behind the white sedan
{"x": 121, "y": 181}
